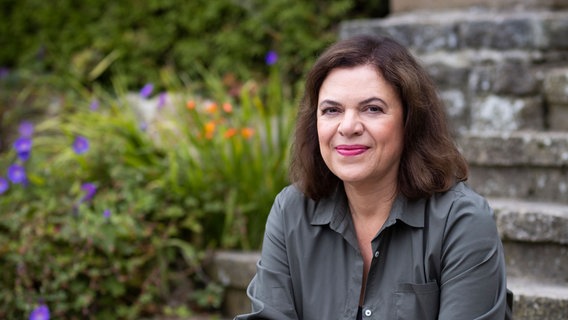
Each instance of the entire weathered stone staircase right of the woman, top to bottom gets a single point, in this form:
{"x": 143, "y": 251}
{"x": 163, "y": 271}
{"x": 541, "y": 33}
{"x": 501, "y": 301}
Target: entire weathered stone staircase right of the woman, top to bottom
{"x": 503, "y": 75}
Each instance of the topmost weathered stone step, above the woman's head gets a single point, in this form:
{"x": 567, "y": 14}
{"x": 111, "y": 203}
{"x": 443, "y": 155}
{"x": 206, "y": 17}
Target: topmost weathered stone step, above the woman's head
{"x": 453, "y": 30}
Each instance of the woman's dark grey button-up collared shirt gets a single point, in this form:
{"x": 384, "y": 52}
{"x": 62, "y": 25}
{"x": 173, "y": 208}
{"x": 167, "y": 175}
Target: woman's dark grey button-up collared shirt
{"x": 436, "y": 258}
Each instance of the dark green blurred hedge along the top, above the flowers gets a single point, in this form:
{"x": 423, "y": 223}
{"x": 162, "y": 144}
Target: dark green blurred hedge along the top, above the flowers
{"x": 96, "y": 40}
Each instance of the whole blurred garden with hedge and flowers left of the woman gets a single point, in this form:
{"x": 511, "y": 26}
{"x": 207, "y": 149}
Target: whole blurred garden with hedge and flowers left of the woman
{"x": 137, "y": 137}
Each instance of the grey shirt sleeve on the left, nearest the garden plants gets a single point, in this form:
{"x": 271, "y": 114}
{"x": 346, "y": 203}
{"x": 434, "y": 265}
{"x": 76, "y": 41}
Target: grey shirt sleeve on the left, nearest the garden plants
{"x": 270, "y": 291}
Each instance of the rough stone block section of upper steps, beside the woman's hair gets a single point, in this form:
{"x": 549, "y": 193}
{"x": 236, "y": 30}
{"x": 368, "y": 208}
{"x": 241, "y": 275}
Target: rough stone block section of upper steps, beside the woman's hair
{"x": 495, "y": 70}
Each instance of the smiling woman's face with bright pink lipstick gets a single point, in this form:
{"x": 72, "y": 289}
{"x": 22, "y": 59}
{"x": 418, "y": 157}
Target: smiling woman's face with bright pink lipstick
{"x": 360, "y": 126}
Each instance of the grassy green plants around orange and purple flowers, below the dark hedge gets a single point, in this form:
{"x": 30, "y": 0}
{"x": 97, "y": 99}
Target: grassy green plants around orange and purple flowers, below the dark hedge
{"x": 173, "y": 179}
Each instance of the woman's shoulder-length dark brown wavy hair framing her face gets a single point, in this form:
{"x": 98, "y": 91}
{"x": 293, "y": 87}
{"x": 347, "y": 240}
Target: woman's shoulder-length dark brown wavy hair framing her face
{"x": 430, "y": 161}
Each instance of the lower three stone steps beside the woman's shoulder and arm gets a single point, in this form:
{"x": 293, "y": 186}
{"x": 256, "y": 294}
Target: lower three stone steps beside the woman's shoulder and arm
{"x": 526, "y": 181}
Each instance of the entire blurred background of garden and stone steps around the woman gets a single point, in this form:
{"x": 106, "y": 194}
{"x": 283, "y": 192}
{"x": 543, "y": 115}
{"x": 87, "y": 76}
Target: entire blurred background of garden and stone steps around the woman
{"x": 142, "y": 142}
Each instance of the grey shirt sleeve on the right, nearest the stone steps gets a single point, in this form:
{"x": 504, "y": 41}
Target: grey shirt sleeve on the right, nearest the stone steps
{"x": 473, "y": 279}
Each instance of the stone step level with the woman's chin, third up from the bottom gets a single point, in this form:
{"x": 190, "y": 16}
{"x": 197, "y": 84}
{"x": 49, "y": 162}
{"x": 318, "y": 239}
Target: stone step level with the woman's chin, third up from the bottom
{"x": 525, "y": 165}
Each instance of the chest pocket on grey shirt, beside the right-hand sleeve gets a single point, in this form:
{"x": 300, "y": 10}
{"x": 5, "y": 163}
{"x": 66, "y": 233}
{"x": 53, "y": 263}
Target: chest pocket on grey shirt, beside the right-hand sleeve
{"x": 416, "y": 301}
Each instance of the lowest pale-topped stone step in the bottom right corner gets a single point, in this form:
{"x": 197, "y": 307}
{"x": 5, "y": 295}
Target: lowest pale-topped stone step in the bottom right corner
{"x": 535, "y": 300}
